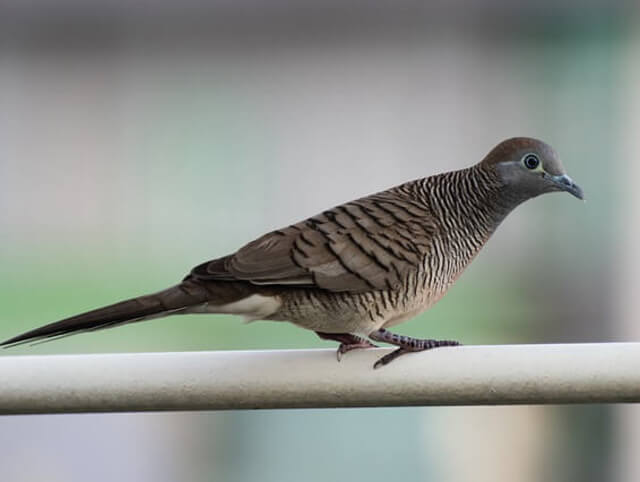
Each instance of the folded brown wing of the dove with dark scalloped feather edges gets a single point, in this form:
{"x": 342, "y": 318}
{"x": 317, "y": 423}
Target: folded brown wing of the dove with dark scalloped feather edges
{"x": 369, "y": 244}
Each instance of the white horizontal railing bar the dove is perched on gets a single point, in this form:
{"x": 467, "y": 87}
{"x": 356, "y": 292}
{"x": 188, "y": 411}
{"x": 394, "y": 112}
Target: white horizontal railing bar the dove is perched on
{"x": 468, "y": 375}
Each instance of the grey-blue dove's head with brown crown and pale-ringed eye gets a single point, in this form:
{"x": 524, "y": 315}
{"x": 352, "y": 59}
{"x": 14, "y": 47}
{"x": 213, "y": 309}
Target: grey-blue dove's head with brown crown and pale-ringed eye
{"x": 529, "y": 167}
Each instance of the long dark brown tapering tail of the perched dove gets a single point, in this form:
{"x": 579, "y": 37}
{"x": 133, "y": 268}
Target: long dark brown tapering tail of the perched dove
{"x": 173, "y": 300}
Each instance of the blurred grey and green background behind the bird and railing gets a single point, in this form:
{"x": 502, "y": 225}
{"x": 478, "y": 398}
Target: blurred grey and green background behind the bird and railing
{"x": 138, "y": 139}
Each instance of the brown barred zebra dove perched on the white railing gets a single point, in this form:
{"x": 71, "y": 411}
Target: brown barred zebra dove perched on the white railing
{"x": 353, "y": 271}
